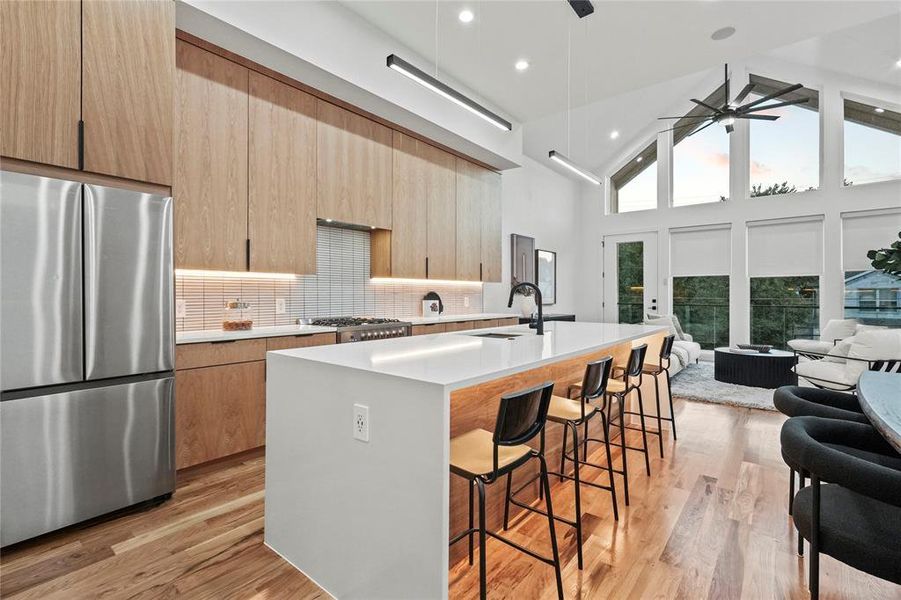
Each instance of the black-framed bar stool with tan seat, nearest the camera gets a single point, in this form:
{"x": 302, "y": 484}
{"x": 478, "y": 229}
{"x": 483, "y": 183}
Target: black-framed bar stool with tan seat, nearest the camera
{"x": 482, "y": 457}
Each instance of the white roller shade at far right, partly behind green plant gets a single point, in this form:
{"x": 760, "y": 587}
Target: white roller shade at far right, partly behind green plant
{"x": 865, "y": 231}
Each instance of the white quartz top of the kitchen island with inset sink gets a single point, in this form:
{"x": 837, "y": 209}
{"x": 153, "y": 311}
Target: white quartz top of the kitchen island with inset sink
{"x": 460, "y": 359}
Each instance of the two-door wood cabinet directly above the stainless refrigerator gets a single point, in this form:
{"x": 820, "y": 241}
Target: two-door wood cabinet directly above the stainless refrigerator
{"x": 108, "y": 64}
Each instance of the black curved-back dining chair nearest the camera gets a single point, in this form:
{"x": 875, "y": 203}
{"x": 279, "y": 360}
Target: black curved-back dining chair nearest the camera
{"x": 856, "y": 516}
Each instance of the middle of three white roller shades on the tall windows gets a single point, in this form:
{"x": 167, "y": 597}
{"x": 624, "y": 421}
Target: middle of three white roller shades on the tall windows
{"x": 785, "y": 248}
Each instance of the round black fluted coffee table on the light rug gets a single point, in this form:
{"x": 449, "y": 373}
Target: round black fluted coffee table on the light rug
{"x": 767, "y": 370}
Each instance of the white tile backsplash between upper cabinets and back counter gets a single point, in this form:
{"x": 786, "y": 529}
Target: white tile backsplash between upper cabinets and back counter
{"x": 341, "y": 287}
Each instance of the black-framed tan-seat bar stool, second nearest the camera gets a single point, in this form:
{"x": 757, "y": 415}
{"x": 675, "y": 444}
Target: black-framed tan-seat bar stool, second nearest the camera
{"x": 571, "y": 414}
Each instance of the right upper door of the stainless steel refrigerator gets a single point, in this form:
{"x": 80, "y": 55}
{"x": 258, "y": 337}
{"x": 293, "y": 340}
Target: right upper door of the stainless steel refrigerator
{"x": 128, "y": 281}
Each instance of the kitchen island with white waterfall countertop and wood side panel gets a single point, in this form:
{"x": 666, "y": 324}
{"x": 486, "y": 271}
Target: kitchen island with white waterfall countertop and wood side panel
{"x": 372, "y": 519}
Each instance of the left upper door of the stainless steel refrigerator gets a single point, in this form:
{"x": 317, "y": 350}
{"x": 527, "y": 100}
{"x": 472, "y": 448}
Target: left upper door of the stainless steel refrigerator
{"x": 40, "y": 281}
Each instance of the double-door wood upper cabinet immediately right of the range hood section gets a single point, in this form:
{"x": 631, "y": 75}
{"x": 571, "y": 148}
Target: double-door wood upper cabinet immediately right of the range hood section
{"x": 422, "y": 236}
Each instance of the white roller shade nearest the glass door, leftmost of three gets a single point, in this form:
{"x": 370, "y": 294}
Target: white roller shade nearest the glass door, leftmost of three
{"x": 701, "y": 251}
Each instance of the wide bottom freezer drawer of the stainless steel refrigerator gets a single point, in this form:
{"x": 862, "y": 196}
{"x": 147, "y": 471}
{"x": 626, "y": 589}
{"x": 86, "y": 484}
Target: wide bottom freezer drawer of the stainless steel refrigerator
{"x": 71, "y": 456}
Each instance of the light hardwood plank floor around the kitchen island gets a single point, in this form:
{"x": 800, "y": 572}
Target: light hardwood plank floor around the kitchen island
{"x": 710, "y": 522}
